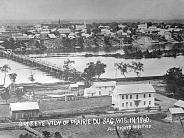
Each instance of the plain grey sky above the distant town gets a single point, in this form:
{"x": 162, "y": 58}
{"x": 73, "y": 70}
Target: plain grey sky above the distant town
{"x": 91, "y": 9}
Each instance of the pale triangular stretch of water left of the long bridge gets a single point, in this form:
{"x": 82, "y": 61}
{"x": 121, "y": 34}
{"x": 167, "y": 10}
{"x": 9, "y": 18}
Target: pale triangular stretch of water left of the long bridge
{"x": 23, "y": 73}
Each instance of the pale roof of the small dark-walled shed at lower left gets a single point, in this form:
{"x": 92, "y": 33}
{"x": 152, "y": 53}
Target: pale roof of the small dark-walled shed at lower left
{"x": 23, "y": 106}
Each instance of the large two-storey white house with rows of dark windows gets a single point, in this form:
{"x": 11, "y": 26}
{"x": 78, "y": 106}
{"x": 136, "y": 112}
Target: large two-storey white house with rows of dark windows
{"x": 133, "y": 96}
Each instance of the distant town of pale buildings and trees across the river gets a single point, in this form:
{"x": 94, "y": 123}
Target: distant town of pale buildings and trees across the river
{"x": 72, "y": 37}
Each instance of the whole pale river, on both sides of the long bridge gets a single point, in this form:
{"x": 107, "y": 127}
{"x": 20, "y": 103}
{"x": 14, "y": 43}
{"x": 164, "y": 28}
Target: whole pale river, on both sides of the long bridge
{"x": 152, "y": 67}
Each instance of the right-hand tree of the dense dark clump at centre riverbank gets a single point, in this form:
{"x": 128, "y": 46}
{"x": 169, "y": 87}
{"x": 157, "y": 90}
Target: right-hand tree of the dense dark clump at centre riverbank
{"x": 99, "y": 68}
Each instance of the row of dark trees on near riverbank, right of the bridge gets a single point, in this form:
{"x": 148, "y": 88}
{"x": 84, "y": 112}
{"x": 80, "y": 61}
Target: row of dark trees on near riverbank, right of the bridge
{"x": 96, "y": 69}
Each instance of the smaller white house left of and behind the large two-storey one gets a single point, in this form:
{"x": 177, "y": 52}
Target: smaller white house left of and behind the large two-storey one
{"x": 100, "y": 89}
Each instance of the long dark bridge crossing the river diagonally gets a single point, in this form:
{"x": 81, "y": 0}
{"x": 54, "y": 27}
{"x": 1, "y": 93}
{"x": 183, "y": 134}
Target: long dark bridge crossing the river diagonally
{"x": 52, "y": 69}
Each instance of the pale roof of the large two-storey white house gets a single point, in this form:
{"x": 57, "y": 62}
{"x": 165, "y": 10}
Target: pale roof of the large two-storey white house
{"x": 134, "y": 88}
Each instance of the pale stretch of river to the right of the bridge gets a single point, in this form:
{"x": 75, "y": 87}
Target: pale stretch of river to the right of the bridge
{"x": 152, "y": 67}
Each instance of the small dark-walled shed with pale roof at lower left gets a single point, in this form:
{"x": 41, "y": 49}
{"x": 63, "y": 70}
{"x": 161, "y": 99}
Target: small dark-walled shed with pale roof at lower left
{"x": 24, "y": 110}
